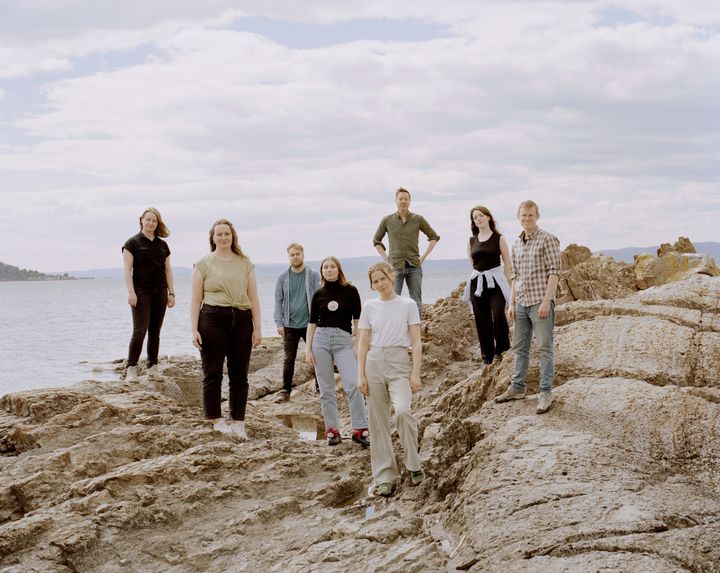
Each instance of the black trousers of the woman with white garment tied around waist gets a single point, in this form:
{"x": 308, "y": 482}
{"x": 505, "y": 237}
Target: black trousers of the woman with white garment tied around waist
{"x": 490, "y": 320}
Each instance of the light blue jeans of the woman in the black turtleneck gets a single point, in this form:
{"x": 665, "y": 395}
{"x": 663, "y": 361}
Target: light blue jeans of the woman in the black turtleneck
{"x": 334, "y": 345}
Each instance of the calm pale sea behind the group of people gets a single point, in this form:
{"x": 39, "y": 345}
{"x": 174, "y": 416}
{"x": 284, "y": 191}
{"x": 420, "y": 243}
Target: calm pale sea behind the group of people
{"x": 55, "y": 333}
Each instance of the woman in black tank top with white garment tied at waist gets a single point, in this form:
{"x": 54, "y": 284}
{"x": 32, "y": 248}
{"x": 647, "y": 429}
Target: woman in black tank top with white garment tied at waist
{"x": 486, "y": 249}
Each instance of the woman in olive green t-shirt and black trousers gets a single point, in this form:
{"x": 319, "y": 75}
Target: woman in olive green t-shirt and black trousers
{"x": 225, "y": 321}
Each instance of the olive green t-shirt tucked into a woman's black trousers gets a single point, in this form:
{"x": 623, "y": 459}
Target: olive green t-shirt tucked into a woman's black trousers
{"x": 225, "y": 283}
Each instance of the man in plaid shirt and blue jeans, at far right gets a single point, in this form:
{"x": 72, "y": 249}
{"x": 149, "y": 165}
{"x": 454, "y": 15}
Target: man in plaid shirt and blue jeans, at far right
{"x": 535, "y": 274}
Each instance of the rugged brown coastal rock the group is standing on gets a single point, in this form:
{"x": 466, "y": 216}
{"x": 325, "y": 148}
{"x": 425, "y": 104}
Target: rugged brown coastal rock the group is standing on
{"x": 622, "y": 474}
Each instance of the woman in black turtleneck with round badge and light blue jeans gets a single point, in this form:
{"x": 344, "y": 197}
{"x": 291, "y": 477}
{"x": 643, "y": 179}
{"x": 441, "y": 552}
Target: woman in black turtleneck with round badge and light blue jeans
{"x": 334, "y": 309}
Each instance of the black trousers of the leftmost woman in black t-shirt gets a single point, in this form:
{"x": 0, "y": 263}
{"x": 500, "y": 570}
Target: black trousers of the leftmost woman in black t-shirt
{"x": 148, "y": 316}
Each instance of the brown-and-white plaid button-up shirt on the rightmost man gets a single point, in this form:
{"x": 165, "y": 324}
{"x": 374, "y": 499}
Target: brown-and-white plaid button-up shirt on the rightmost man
{"x": 534, "y": 258}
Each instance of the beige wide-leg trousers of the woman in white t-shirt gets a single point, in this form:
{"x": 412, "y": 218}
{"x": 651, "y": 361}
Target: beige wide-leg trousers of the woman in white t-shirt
{"x": 388, "y": 374}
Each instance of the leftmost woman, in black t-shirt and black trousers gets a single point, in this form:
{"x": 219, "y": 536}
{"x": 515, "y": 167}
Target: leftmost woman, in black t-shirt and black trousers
{"x": 149, "y": 280}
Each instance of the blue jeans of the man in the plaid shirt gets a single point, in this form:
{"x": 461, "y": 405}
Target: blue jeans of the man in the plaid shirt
{"x": 527, "y": 321}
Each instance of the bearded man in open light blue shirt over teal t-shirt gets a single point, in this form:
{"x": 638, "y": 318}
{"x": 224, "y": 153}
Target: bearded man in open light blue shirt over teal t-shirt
{"x": 293, "y": 294}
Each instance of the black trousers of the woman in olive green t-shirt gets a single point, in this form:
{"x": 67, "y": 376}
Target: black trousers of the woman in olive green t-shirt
{"x": 226, "y": 333}
